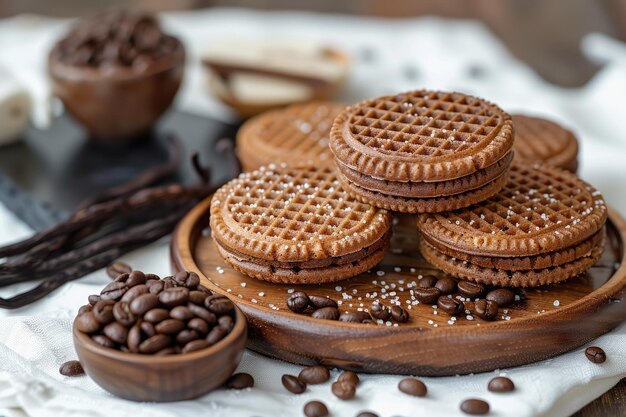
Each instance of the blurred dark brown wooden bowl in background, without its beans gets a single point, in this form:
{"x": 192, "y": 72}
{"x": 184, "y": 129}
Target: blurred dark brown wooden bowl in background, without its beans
{"x": 122, "y": 104}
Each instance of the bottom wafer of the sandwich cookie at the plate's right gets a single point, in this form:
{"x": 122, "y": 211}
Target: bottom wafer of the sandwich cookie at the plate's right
{"x": 530, "y": 278}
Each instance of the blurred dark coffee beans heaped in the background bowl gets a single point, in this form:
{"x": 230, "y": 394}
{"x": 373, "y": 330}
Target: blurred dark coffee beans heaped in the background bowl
{"x": 116, "y": 39}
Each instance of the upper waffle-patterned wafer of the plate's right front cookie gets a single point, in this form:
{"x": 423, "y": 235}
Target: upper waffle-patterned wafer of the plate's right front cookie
{"x": 541, "y": 209}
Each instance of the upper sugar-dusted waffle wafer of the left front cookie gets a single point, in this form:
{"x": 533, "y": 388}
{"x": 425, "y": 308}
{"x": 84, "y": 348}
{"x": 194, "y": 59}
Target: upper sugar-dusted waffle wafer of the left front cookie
{"x": 293, "y": 215}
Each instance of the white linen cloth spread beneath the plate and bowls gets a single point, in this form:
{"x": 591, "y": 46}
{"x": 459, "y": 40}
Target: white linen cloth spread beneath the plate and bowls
{"x": 35, "y": 340}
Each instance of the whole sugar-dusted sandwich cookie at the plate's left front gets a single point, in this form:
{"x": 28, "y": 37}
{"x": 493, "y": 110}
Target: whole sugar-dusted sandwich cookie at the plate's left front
{"x": 296, "y": 226}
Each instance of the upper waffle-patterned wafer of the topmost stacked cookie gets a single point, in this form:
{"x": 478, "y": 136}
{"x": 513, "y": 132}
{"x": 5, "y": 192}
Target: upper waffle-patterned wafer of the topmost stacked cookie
{"x": 421, "y": 136}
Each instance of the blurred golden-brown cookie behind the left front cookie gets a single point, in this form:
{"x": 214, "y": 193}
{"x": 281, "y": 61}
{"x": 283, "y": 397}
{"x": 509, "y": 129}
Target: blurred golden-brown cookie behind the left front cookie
{"x": 298, "y": 133}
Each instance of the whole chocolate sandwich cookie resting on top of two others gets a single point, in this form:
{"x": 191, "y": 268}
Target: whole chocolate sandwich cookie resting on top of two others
{"x": 422, "y": 151}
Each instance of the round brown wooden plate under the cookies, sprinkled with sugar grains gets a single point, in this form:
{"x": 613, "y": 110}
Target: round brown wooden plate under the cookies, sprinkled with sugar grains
{"x": 545, "y": 322}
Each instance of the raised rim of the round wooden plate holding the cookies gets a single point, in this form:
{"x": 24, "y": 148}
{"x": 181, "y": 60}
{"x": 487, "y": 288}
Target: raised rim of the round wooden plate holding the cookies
{"x": 189, "y": 223}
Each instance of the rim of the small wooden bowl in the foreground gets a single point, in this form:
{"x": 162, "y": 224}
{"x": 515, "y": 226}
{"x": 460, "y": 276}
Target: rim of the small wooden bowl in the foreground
{"x": 228, "y": 342}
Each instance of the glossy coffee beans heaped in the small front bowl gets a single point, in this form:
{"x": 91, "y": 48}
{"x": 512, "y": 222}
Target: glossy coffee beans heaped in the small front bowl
{"x": 141, "y": 313}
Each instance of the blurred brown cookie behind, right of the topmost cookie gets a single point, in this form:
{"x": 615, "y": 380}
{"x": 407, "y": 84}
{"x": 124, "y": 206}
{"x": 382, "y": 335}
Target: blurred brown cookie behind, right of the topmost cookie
{"x": 541, "y": 140}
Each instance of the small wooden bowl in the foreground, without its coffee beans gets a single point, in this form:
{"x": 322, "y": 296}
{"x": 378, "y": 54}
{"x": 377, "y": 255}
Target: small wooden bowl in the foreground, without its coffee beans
{"x": 162, "y": 378}
